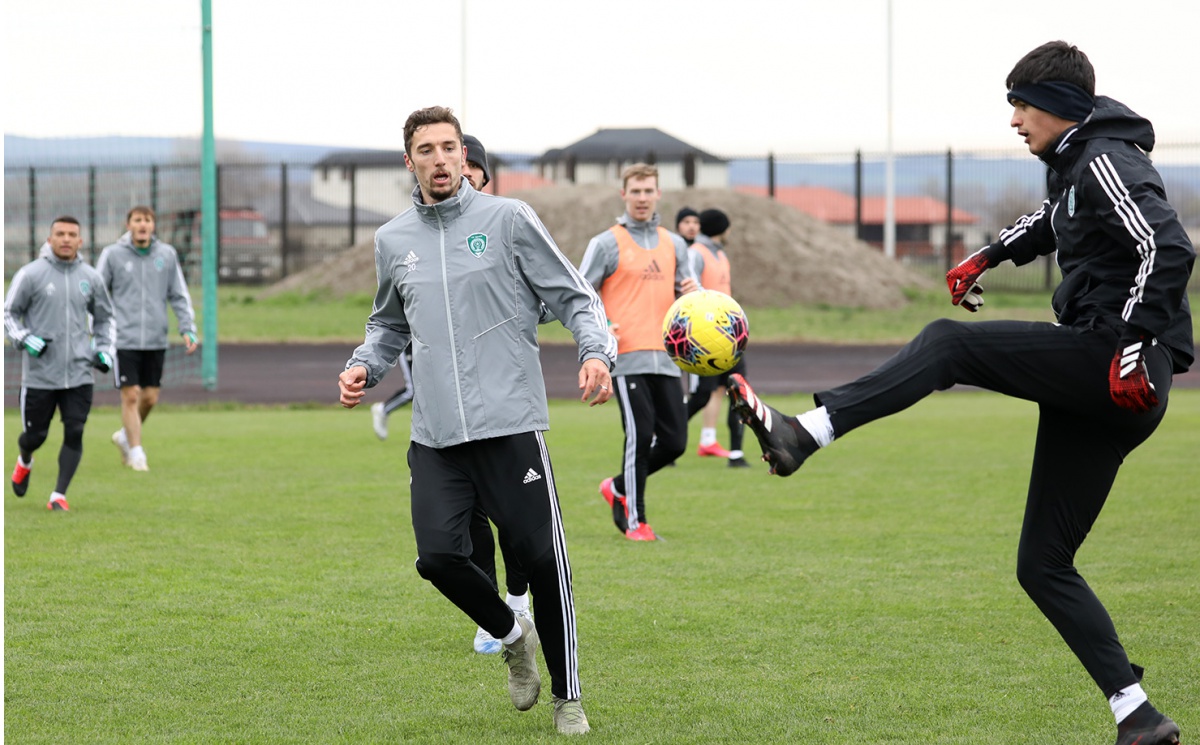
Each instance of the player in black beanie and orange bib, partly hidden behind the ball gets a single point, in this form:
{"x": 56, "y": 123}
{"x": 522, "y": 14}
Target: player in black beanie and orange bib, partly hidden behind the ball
{"x": 710, "y": 249}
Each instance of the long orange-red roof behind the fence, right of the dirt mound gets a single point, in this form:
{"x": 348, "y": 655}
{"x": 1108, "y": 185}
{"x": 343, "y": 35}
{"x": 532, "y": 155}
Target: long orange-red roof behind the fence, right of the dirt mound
{"x": 835, "y": 207}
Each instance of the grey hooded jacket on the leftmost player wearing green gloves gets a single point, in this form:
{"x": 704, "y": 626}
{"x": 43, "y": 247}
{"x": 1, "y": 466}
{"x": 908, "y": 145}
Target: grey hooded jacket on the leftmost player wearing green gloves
{"x": 67, "y": 304}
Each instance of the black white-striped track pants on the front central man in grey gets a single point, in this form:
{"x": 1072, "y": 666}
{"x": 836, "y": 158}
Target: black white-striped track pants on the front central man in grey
{"x": 512, "y": 479}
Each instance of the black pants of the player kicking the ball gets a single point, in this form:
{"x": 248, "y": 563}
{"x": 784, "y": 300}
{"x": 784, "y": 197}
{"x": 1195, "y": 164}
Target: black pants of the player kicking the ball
{"x": 1083, "y": 438}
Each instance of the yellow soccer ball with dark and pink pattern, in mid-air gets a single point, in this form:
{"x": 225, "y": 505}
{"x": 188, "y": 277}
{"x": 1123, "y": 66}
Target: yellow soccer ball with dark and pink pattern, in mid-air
{"x": 706, "y": 333}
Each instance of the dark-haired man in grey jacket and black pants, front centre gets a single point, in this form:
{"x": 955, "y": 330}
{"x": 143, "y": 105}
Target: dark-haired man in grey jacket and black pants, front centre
{"x": 463, "y": 275}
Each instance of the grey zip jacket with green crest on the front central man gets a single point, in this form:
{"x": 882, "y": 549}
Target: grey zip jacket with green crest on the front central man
{"x": 465, "y": 281}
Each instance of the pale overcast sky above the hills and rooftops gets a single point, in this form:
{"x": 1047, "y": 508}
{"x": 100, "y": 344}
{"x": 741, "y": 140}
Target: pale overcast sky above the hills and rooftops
{"x": 735, "y": 77}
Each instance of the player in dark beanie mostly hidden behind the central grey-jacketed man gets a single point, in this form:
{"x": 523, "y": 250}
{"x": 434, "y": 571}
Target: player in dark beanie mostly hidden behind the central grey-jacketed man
{"x": 478, "y": 173}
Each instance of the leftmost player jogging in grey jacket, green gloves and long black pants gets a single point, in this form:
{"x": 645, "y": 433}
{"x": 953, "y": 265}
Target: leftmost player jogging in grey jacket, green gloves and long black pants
{"x": 58, "y": 313}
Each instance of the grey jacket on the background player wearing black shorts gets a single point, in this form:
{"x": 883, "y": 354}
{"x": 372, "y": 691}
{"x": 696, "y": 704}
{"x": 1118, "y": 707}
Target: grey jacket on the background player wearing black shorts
{"x": 142, "y": 285}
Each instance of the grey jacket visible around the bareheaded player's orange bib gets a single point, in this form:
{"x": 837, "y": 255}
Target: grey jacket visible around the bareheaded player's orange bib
{"x": 601, "y": 262}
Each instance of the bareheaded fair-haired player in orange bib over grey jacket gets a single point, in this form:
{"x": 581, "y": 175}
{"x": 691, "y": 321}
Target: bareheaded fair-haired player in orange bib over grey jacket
{"x": 640, "y": 268}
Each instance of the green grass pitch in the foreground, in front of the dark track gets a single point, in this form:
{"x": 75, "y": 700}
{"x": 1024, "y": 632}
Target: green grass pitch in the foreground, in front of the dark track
{"x": 257, "y": 586}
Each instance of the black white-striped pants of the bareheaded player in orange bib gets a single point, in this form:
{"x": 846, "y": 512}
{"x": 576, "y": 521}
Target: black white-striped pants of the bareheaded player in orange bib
{"x": 652, "y": 411}
